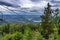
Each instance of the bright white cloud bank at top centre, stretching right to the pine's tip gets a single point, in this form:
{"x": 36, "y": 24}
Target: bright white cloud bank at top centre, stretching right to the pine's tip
{"x": 30, "y": 4}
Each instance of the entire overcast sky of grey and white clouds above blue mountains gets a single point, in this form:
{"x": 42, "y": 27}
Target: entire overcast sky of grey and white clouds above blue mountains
{"x": 26, "y": 6}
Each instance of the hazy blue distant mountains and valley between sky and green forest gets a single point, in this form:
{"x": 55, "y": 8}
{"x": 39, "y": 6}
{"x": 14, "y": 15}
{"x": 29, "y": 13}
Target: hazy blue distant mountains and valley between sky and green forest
{"x": 21, "y": 18}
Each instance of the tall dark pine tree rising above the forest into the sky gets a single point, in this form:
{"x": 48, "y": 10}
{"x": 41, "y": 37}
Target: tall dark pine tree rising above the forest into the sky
{"x": 46, "y": 21}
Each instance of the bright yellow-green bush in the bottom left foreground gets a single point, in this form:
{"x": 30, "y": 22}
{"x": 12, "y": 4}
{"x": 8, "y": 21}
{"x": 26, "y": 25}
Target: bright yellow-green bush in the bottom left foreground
{"x": 15, "y": 36}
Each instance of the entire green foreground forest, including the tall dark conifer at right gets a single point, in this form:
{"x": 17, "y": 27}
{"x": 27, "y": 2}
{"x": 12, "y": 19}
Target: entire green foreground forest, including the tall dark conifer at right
{"x": 47, "y": 29}
